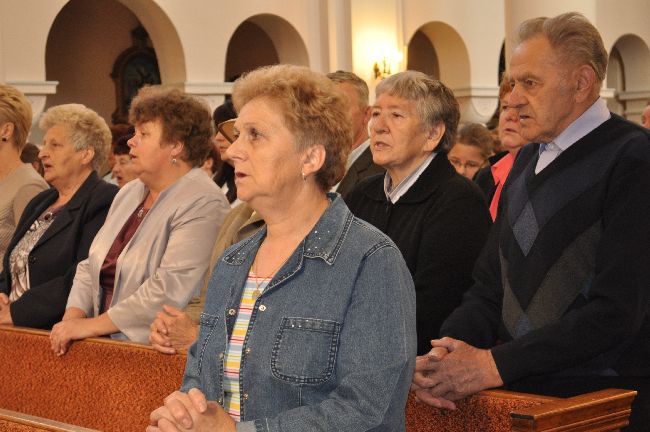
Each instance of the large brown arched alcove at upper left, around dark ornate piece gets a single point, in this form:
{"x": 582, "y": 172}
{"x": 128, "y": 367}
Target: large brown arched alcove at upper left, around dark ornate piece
{"x": 87, "y": 37}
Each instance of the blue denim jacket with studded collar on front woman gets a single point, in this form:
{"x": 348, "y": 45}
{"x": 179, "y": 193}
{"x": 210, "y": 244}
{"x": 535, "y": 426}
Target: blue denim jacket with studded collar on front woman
{"x": 331, "y": 342}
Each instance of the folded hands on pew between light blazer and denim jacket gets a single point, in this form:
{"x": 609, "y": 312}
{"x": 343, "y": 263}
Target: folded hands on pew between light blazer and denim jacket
{"x": 172, "y": 330}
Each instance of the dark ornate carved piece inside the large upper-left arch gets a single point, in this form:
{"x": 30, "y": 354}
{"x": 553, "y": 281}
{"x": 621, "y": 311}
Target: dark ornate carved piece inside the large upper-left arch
{"x": 134, "y": 68}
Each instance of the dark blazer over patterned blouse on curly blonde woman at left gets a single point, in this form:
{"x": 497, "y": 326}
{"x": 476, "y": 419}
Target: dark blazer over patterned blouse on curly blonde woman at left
{"x": 53, "y": 261}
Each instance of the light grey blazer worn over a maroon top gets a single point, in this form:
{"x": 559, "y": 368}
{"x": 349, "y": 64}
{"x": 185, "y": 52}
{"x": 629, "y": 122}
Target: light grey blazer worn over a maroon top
{"x": 166, "y": 260}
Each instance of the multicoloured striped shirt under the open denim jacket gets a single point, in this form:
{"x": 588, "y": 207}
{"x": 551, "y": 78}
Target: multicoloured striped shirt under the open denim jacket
{"x": 232, "y": 364}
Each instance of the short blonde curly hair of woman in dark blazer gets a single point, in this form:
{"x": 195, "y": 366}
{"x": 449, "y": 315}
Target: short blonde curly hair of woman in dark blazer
{"x": 85, "y": 128}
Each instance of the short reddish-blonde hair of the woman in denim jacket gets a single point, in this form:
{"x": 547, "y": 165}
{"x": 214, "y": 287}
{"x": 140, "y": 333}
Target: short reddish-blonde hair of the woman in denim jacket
{"x": 314, "y": 111}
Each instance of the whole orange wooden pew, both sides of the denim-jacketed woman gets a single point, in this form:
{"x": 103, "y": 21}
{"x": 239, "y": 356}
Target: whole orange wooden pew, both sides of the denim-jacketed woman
{"x": 113, "y": 386}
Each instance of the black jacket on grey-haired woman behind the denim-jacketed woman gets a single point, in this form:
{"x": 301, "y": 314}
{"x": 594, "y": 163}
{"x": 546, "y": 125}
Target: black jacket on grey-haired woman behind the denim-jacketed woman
{"x": 440, "y": 225}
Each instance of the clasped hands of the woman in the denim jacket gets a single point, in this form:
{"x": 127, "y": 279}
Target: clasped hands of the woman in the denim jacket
{"x": 190, "y": 412}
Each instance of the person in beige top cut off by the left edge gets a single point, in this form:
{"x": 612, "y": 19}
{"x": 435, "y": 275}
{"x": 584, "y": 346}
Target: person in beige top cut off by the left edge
{"x": 19, "y": 183}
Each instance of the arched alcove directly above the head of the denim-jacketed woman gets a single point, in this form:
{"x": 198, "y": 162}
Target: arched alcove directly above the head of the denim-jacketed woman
{"x": 263, "y": 40}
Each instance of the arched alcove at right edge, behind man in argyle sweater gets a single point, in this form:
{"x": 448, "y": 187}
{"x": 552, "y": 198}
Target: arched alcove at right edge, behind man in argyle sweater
{"x": 627, "y": 74}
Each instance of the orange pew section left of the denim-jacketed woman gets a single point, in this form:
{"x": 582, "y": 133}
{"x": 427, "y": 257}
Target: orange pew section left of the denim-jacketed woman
{"x": 99, "y": 384}
